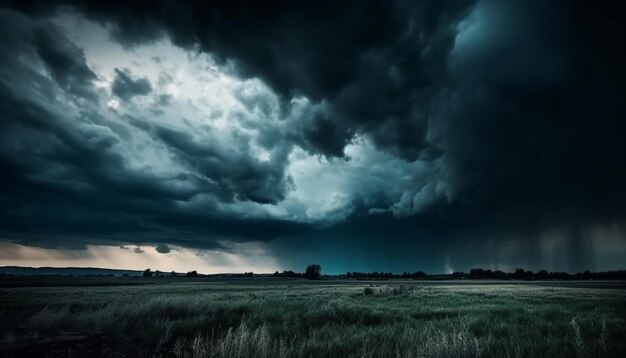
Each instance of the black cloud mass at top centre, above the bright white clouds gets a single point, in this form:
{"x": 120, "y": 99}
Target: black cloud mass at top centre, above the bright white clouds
{"x": 377, "y": 73}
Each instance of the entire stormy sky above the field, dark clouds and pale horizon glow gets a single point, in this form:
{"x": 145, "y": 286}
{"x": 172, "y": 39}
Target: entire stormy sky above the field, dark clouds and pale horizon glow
{"x": 258, "y": 136}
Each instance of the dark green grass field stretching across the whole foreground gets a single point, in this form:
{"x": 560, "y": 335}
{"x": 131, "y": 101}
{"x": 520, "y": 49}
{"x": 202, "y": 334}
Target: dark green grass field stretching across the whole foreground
{"x": 298, "y": 318}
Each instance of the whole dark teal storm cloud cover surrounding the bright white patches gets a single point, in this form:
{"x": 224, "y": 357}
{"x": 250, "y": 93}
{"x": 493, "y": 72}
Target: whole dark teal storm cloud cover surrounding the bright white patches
{"x": 518, "y": 106}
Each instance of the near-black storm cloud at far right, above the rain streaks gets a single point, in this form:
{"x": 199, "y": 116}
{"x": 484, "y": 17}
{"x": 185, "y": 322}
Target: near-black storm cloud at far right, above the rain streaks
{"x": 531, "y": 126}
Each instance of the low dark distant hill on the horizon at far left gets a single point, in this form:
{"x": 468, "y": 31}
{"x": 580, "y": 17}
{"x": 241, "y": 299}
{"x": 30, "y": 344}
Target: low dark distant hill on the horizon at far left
{"x": 65, "y": 271}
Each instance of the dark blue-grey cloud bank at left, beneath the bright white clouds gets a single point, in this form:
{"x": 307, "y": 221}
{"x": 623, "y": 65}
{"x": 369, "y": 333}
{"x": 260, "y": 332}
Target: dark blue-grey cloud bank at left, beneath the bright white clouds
{"x": 66, "y": 182}
